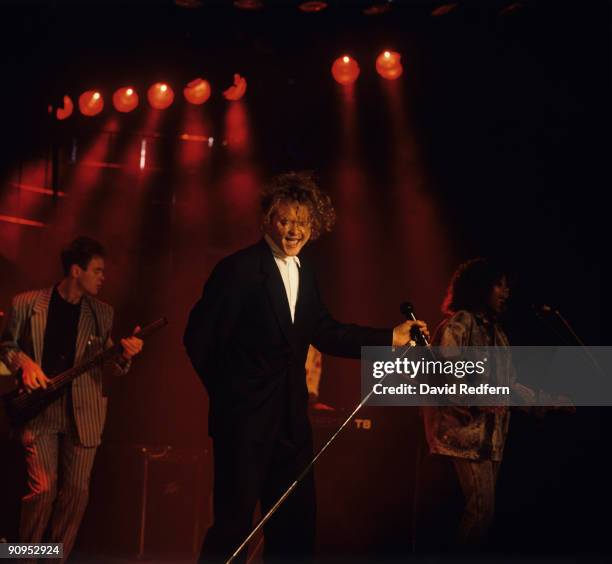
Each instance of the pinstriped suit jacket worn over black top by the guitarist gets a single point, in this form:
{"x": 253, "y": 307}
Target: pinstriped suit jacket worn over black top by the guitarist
{"x": 25, "y": 332}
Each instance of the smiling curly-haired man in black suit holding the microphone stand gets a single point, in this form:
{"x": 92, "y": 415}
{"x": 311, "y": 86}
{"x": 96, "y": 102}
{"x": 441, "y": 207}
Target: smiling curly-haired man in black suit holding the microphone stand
{"x": 248, "y": 338}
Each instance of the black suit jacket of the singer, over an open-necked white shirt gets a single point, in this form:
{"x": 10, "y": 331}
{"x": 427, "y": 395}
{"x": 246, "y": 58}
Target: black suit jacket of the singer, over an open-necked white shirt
{"x": 249, "y": 354}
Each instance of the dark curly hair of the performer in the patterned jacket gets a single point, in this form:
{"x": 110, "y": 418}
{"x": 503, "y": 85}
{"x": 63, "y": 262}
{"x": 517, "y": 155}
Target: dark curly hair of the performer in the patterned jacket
{"x": 471, "y": 285}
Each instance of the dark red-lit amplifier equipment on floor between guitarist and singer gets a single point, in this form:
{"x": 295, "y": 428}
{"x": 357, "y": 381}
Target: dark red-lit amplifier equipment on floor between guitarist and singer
{"x": 149, "y": 502}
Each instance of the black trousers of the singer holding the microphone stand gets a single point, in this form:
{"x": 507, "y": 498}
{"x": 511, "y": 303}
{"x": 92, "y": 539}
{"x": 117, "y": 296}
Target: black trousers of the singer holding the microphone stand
{"x": 248, "y": 471}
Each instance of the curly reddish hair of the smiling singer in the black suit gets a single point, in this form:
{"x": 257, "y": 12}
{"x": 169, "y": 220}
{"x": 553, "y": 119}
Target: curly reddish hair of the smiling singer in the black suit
{"x": 301, "y": 188}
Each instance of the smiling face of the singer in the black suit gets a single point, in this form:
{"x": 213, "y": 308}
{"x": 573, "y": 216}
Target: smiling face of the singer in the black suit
{"x": 289, "y": 227}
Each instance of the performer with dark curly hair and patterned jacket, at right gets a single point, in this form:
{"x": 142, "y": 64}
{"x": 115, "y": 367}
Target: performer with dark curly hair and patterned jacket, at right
{"x": 474, "y": 437}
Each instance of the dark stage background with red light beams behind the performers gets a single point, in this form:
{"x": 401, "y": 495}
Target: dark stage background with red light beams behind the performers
{"x": 493, "y": 142}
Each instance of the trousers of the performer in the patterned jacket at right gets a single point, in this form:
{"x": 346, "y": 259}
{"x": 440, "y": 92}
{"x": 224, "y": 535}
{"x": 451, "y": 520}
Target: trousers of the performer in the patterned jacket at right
{"x": 477, "y": 479}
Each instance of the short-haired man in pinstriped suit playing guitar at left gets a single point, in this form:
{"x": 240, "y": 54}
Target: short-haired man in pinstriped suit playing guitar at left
{"x": 47, "y": 332}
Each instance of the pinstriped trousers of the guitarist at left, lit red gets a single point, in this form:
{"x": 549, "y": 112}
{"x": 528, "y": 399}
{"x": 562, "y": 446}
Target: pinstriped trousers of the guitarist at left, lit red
{"x": 58, "y": 468}
